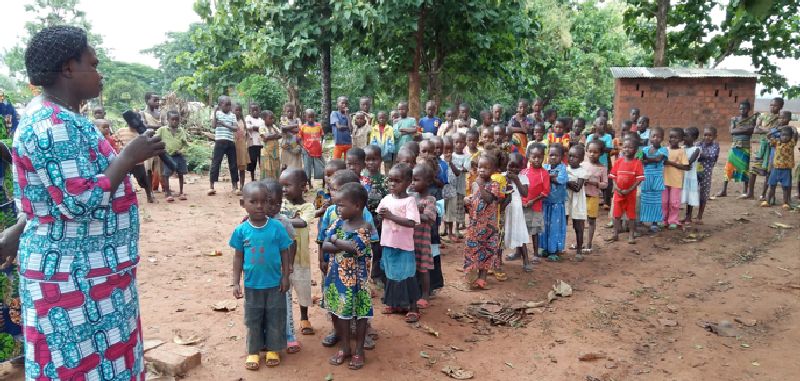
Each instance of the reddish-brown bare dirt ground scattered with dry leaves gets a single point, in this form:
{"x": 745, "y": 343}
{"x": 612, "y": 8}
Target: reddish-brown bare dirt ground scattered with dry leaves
{"x": 638, "y": 304}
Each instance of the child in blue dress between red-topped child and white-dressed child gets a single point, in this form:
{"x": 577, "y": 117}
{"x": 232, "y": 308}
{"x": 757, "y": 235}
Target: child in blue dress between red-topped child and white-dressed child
{"x": 552, "y": 237}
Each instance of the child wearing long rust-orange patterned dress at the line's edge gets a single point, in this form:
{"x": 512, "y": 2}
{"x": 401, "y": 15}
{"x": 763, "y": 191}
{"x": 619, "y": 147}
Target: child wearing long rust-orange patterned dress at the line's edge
{"x": 483, "y": 232}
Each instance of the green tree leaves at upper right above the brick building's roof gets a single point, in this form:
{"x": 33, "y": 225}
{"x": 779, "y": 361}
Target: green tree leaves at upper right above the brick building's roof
{"x": 762, "y": 30}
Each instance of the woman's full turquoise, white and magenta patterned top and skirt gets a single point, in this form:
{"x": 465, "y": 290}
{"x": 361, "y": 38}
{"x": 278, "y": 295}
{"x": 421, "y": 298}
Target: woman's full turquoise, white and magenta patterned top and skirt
{"x": 78, "y": 252}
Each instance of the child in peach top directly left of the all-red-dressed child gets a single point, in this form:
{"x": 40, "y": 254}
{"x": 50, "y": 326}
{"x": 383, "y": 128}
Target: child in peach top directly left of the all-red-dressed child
{"x": 596, "y": 182}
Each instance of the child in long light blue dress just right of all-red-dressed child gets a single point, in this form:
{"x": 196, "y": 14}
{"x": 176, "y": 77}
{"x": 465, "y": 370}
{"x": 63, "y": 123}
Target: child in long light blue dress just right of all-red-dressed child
{"x": 652, "y": 189}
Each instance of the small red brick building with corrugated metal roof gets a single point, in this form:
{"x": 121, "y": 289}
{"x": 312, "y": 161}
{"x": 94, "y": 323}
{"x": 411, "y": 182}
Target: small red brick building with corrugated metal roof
{"x": 682, "y": 97}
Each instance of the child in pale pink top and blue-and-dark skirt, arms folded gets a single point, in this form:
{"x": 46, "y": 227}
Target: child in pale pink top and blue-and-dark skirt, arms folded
{"x": 400, "y": 215}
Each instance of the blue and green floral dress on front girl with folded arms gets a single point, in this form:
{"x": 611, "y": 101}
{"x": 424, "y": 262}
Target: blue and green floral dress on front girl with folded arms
{"x": 346, "y": 288}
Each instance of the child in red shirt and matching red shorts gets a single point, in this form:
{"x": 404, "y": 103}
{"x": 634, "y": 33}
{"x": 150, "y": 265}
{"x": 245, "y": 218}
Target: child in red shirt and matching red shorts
{"x": 627, "y": 172}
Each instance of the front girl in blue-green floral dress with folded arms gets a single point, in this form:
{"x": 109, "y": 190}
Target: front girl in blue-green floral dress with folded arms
{"x": 346, "y": 289}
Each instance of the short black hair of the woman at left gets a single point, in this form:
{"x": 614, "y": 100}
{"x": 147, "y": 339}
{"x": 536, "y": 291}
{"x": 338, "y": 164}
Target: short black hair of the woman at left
{"x": 50, "y": 49}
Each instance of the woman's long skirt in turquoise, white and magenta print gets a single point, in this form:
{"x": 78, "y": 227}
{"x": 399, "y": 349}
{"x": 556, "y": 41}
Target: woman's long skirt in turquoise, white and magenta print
{"x": 83, "y": 329}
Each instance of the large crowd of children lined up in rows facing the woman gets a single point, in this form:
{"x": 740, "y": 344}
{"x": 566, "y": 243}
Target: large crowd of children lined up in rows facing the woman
{"x": 394, "y": 194}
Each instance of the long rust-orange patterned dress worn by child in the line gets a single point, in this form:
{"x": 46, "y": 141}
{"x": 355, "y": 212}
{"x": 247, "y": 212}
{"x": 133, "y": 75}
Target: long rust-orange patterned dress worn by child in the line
{"x": 483, "y": 231}
